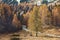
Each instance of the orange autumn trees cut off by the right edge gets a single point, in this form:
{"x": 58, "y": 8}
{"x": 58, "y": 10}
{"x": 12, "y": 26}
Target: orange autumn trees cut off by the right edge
{"x": 56, "y": 15}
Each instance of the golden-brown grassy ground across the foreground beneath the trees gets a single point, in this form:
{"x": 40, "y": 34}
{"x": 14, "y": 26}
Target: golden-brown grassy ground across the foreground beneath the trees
{"x": 23, "y": 35}
